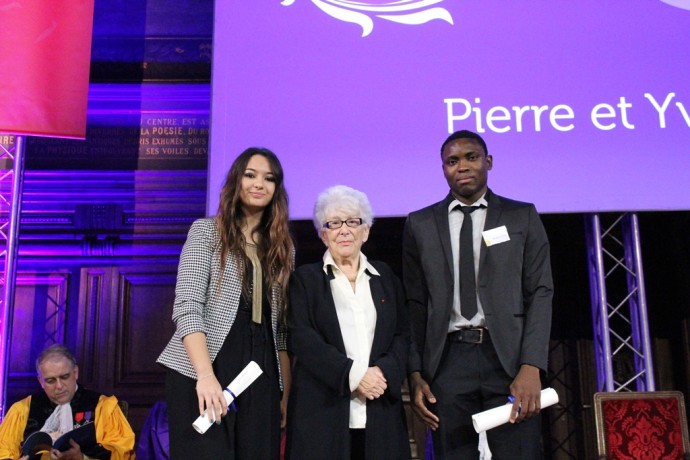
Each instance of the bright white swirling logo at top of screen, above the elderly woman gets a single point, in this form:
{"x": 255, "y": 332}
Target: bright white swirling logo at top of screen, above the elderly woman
{"x": 411, "y": 12}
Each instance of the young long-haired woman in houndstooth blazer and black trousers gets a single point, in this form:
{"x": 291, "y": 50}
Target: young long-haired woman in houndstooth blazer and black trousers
{"x": 229, "y": 301}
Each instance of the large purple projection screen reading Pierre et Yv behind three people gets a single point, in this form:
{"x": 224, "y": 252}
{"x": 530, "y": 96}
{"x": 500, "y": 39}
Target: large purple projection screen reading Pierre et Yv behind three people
{"x": 585, "y": 106}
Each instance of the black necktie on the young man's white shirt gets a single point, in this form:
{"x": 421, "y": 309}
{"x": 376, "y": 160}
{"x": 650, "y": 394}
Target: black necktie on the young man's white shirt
{"x": 468, "y": 288}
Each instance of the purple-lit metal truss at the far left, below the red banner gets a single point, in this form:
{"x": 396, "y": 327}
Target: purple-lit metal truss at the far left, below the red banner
{"x": 11, "y": 186}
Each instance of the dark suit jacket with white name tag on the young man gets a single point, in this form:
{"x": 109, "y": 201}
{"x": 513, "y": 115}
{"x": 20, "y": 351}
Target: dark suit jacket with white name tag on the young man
{"x": 514, "y": 284}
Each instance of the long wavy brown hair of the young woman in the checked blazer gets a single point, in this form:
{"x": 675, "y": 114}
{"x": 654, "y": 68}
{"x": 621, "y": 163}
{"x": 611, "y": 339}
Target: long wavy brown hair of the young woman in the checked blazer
{"x": 275, "y": 246}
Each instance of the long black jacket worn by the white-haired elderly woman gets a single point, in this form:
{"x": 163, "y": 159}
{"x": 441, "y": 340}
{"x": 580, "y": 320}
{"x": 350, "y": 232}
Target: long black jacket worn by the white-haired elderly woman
{"x": 319, "y": 404}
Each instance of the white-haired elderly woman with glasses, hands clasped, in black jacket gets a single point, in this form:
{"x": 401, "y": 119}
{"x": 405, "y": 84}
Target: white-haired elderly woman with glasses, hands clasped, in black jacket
{"x": 349, "y": 338}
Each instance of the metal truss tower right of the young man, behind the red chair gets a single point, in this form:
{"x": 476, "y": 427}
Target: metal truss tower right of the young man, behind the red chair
{"x": 619, "y": 310}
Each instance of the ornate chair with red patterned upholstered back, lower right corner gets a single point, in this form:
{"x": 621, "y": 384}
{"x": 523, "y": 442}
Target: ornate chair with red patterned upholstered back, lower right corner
{"x": 641, "y": 425}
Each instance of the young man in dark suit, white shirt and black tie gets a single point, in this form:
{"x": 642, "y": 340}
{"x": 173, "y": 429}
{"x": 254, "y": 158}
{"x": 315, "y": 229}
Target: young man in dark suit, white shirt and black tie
{"x": 477, "y": 341}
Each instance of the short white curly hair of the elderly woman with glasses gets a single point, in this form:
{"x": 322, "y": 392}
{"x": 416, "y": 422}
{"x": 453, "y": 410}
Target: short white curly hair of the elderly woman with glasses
{"x": 341, "y": 197}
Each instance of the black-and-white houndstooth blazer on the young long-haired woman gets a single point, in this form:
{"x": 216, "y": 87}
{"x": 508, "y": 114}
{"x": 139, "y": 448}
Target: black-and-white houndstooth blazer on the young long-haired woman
{"x": 201, "y": 307}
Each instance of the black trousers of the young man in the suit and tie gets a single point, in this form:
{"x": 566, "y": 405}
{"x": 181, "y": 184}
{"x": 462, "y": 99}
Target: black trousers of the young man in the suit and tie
{"x": 471, "y": 379}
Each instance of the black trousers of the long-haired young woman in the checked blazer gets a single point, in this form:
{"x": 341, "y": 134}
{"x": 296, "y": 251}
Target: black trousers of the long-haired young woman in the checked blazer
{"x": 253, "y": 431}
